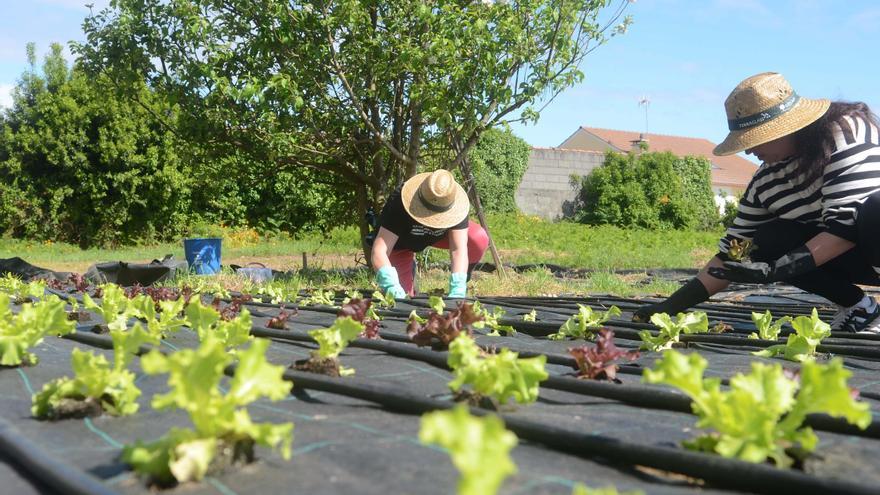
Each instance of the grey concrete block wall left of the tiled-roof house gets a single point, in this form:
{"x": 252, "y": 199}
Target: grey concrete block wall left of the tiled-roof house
{"x": 545, "y": 189}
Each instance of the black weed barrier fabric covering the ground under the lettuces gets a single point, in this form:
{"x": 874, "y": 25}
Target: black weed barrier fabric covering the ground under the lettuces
{"x": 360, "y": 434}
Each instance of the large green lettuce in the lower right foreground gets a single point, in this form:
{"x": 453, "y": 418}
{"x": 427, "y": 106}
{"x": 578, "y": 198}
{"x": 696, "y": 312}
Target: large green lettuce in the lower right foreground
{"x": 762, "y": 413}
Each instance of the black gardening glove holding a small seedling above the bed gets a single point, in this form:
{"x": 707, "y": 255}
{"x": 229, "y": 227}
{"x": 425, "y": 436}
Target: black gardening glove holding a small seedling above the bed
{"x": 796, "y": 262}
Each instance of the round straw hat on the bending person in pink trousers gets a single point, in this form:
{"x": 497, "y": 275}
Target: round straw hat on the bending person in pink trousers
{"x": 435, "y": 200}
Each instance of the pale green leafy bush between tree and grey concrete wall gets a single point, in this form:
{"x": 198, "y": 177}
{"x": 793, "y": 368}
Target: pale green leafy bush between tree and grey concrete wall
{"x": 499, "y": 161}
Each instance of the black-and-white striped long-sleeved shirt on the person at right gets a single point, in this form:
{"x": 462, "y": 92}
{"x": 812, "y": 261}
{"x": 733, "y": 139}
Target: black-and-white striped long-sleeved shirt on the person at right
{"x": 830, "y": 202}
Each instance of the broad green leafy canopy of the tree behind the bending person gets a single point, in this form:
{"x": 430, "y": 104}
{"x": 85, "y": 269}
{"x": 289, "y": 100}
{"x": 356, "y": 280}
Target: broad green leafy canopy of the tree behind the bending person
{"x": 360, "y": 89}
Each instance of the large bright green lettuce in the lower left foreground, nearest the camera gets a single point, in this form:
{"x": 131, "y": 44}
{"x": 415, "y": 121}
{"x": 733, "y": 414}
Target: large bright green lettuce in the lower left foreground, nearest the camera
{"x": 221, "y": 423}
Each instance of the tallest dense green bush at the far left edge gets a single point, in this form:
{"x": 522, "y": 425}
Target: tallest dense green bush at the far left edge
{"x": 80, "y": 164}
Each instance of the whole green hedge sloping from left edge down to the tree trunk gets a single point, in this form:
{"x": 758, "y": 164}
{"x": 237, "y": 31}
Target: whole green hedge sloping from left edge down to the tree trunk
{"x": 88, "y": 162}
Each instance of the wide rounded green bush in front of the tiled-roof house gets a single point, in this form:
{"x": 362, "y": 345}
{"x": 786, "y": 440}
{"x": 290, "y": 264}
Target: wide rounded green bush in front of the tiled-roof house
{"x": 651, "y": 190}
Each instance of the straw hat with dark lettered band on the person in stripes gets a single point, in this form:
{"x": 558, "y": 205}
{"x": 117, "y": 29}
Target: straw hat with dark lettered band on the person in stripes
{"x": 763, "y": 108}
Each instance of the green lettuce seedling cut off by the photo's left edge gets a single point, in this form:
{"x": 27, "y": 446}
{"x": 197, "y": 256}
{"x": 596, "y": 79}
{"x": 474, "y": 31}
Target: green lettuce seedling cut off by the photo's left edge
{"x": 25, "y": 329}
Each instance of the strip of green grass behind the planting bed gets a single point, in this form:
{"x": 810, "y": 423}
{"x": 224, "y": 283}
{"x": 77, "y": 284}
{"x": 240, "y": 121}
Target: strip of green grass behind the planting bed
{"x": 520, "y": 239}
